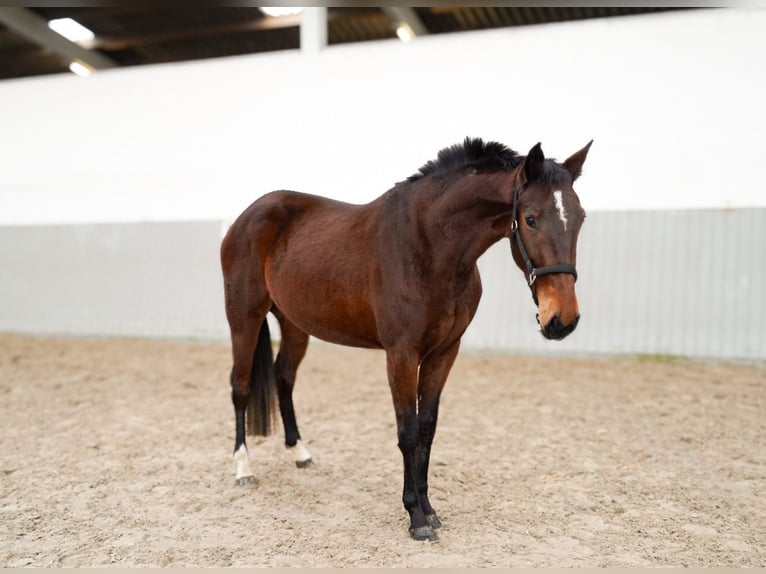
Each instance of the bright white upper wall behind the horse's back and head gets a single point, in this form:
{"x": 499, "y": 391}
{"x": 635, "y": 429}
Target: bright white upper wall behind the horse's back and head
{"x": 674, "y": 102}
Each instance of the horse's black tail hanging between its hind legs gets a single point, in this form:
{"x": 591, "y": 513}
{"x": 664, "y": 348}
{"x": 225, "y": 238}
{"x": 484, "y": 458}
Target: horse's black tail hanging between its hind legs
{"x": 262, "y": 406}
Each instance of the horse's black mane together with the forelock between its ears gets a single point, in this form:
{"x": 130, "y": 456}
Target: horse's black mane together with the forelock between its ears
{"x": 486, "y": 155}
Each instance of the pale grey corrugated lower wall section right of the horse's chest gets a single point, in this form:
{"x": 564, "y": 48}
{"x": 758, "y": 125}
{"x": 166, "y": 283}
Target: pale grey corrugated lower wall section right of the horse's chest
{"x": 655, "y": 282}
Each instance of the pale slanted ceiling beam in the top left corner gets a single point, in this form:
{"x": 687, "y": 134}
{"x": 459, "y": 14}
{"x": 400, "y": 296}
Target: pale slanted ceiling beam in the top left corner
{"x": 28, "y": 24}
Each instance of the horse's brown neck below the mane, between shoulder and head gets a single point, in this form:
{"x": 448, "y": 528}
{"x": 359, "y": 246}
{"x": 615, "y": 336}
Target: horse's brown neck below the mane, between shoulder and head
{"x": 470, "y": 215}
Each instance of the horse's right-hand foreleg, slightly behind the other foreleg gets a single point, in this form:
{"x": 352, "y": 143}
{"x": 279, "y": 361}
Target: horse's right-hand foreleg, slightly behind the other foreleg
{"x": 431, "y": 379}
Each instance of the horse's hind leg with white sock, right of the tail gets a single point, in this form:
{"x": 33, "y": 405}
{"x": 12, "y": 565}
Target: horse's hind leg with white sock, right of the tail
{"x": 292, "y": 349}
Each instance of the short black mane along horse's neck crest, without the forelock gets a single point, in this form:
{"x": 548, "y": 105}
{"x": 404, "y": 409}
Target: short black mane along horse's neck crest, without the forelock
{"x": 473, "y": 151}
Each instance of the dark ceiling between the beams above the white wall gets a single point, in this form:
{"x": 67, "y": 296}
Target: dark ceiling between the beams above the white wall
{"x": 145, "y": 34}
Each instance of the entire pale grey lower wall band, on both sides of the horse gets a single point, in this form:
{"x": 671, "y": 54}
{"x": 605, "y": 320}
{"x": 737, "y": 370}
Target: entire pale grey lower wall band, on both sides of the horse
{"x": 655, "y": 282}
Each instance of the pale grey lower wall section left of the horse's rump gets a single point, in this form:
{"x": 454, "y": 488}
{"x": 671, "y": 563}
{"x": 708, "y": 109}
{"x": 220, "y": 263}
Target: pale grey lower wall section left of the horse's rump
{"x": 143, "y": 279}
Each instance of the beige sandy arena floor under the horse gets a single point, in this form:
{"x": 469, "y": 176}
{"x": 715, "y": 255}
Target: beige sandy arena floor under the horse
{"x": 118, "y": 452}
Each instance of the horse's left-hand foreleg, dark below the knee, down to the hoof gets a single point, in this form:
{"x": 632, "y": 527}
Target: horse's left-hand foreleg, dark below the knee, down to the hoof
{"x": 402, "y": 378}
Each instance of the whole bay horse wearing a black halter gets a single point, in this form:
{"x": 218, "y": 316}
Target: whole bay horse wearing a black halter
{"x": 397, "y": 274}
